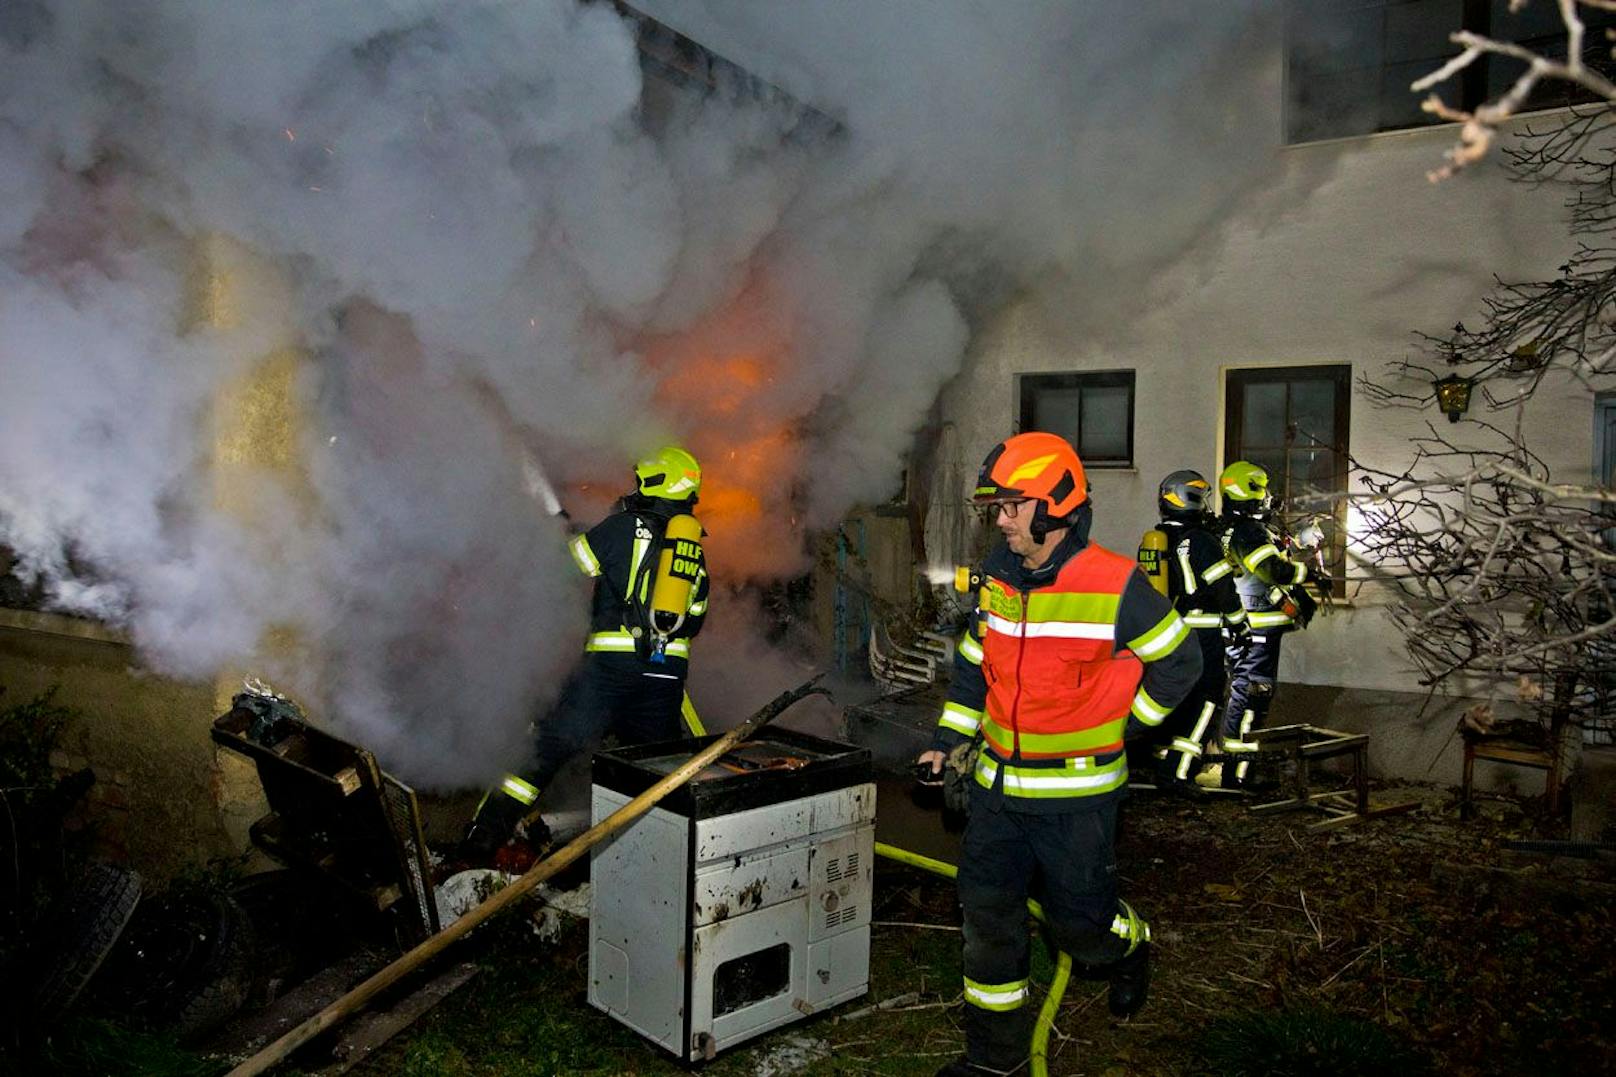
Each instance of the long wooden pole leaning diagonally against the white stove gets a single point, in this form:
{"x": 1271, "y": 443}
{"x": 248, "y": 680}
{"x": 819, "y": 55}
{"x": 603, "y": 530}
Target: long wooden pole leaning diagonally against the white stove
{"x": 552, "y": 866}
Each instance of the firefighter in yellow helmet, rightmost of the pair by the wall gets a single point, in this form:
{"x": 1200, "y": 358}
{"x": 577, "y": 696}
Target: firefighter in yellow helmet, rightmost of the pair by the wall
{"x": 1271, "y": 589}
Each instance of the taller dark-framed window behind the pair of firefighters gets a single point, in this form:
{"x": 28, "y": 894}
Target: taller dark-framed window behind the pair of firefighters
{"x": 1294, "y": 423}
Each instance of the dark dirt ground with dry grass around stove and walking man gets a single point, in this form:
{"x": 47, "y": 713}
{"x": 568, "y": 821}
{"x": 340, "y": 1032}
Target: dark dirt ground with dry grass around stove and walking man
{"x": 1470, "y": 958}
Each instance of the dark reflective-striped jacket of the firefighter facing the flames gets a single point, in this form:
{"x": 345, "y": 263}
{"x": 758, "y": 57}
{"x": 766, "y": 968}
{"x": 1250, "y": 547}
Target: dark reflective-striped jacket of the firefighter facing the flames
{"x": 621, "y": 554}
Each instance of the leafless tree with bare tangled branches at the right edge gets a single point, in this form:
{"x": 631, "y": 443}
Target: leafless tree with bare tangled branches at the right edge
{"x": 1497, "y": 570}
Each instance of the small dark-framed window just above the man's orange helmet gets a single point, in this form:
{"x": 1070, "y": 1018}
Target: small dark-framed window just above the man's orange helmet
{"x": 1092, "y": 410}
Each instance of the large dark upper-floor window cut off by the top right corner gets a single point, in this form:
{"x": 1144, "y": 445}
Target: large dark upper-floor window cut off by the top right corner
{"x": 1349, "y": 64}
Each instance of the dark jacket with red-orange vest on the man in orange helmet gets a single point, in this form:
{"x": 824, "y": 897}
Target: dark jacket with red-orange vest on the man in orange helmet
{"x": 1058, "y": 665}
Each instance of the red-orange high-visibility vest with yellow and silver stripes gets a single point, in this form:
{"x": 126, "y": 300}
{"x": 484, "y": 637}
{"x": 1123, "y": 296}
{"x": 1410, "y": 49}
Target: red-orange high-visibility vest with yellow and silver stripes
{"x": 1058, "y": 686}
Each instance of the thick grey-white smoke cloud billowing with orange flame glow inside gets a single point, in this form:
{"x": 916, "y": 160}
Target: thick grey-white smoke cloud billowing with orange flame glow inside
{"x": 482, "y": 239}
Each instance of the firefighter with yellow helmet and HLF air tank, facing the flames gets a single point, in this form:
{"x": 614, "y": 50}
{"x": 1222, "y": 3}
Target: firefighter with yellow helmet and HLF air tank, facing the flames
{"x": 649, "y": 604}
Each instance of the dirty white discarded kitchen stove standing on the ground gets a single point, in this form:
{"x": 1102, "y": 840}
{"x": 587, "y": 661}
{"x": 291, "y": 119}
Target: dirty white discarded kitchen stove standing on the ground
{"x": 743, "y": 902}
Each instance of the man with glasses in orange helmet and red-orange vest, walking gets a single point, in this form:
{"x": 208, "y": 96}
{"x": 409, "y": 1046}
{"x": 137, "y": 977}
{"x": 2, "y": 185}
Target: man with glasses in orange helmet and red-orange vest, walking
{"x": 1071, "y": 651}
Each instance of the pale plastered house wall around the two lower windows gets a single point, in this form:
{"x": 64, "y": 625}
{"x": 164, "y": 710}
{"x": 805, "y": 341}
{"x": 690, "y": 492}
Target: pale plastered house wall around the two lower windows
{"x": 1340, "y": 263}
